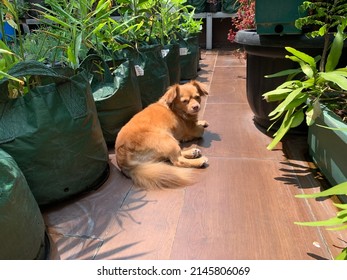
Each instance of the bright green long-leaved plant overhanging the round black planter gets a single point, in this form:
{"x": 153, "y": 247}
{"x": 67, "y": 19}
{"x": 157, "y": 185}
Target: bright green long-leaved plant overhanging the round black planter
{"x": 300, "y": 98}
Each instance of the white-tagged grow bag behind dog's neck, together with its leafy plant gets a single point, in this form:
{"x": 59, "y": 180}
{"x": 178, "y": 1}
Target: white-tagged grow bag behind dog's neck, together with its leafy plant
{"x": 145, "y": 51}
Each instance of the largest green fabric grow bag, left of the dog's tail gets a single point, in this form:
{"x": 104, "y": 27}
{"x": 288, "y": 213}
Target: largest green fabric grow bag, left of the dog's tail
{"x": 53, "y": 133}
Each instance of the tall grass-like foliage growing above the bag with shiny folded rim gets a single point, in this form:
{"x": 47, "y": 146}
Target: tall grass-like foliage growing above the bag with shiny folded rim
{"x": 79, "y": 26}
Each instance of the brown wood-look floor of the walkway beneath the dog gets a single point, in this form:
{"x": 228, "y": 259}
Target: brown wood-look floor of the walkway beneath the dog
{"x": 242, "y": 208}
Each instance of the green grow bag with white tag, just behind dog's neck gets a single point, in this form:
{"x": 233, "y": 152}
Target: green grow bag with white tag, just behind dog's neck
{"x": 151, "y": 71}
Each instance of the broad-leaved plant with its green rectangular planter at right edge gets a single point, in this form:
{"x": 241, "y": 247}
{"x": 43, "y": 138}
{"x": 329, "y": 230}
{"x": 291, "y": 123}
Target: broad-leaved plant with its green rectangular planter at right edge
{"x": 317, "y": 93}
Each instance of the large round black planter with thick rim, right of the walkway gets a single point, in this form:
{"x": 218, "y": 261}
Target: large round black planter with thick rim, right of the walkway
{"x": 266, "y": 55}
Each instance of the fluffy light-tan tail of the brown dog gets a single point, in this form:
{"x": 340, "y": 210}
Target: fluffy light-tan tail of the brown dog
{"x": 161, "y": 175}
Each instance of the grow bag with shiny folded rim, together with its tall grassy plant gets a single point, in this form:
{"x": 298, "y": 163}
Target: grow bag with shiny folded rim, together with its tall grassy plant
{"x": 114, "y": 84}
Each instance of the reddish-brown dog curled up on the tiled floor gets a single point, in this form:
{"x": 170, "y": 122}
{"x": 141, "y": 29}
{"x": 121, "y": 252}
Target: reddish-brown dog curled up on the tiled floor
{"x": 147, "y": 147}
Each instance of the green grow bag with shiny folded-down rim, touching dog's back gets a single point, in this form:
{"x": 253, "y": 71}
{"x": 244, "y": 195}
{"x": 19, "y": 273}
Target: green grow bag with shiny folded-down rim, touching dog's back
{"x": 116, "y": 95}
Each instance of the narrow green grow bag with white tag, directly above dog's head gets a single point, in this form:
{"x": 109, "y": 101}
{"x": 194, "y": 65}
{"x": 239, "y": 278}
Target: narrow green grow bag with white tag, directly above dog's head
{"x": 171, "y": 55}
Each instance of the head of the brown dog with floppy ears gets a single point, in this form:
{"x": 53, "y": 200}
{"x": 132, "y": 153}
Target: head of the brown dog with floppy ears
{"x": 185, "y": 98}
